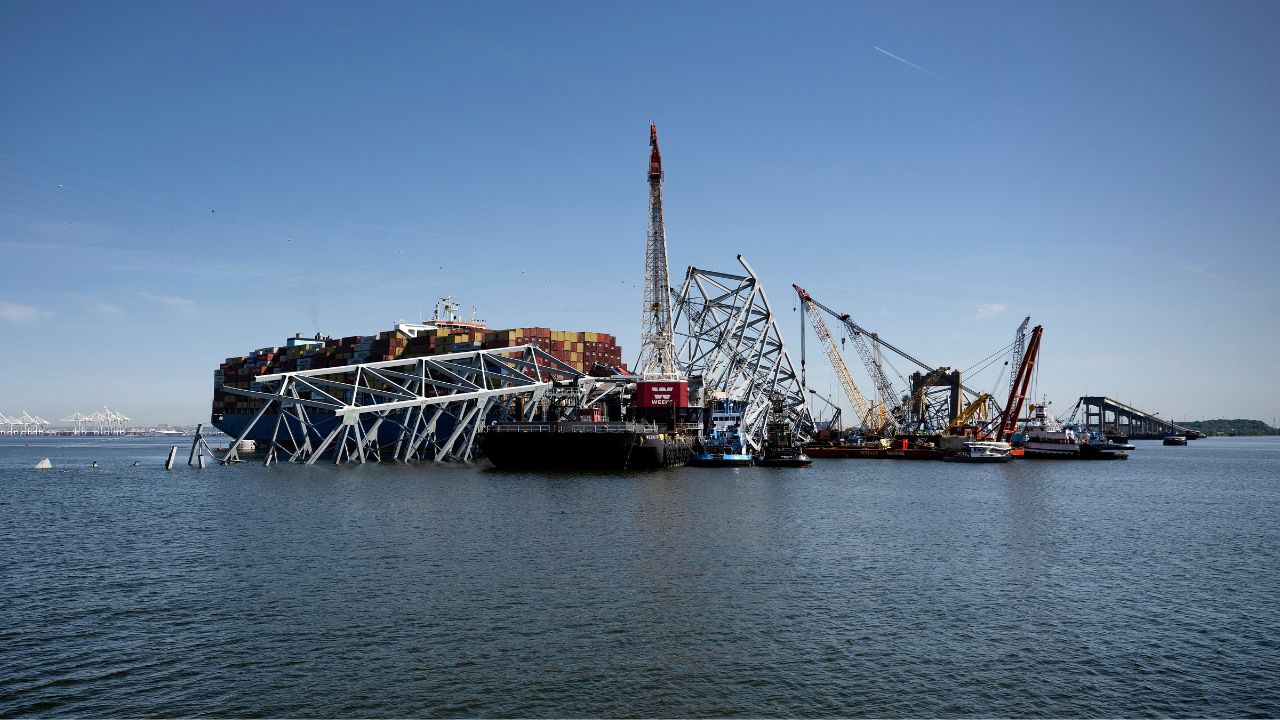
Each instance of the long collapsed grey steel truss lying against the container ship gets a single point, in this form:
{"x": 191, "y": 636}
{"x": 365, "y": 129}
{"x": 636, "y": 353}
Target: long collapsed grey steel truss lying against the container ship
{"x": 412, "y": 411}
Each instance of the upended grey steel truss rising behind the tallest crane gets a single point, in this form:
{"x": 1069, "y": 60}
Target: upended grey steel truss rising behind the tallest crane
{"x": 728, "y": 334}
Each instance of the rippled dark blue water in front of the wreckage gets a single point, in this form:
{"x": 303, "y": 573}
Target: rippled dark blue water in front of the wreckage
{"x": 1139, "y": 589}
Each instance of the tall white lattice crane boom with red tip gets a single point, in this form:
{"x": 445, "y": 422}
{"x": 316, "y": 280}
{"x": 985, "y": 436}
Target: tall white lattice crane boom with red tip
{"x": 657, "y": 339}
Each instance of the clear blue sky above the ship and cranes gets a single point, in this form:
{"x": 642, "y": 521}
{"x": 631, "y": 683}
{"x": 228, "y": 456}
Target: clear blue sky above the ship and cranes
{"x": 182, "y": 183}
